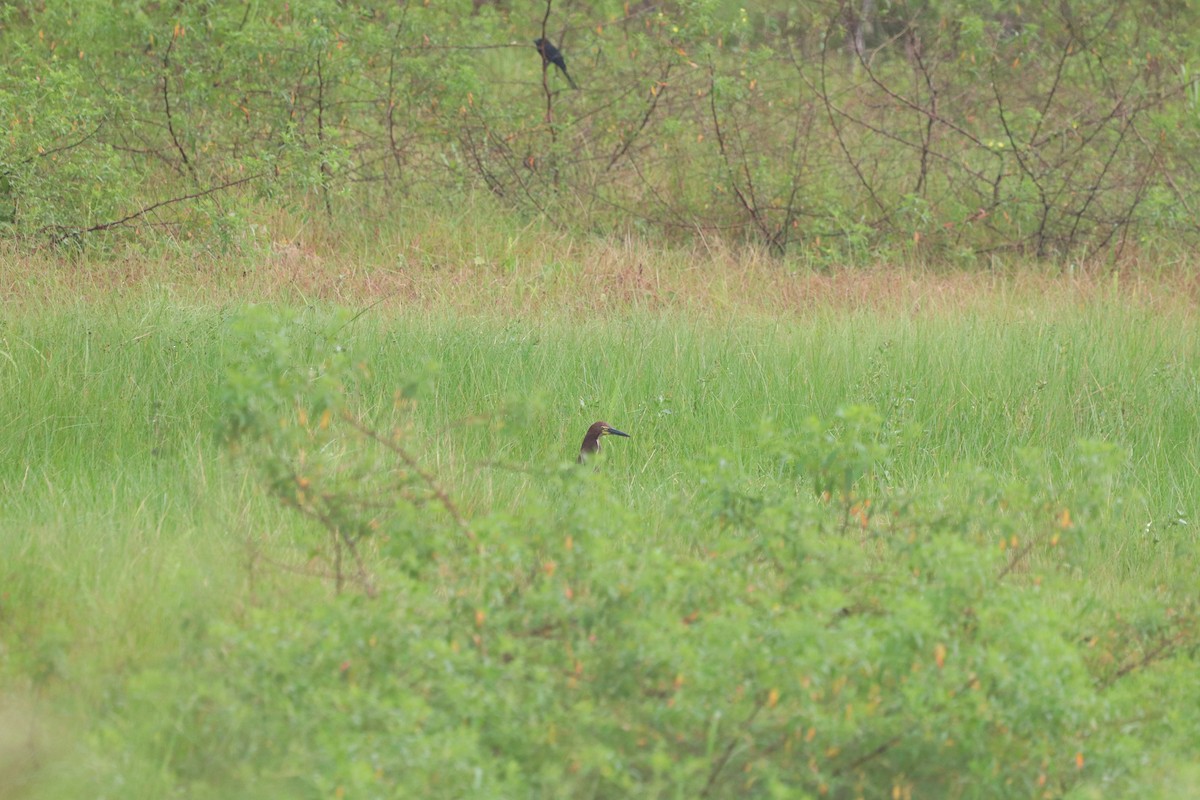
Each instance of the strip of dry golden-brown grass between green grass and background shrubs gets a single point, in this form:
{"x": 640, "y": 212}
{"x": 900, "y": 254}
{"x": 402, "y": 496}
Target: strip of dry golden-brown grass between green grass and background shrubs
{"x": 479, "y": 268}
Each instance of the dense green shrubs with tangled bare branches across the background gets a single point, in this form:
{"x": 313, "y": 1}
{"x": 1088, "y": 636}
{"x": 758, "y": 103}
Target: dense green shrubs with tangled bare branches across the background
{"x": 835, "y": 130}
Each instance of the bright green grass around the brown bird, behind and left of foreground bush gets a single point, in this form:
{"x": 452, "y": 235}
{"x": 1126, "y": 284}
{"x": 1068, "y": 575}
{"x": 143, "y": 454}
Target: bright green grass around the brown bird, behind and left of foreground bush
{"x": 130, "y": 531}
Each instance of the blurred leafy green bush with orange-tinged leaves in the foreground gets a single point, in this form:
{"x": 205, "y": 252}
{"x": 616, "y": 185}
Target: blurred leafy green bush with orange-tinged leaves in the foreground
{"x": 818, "y": 635}
